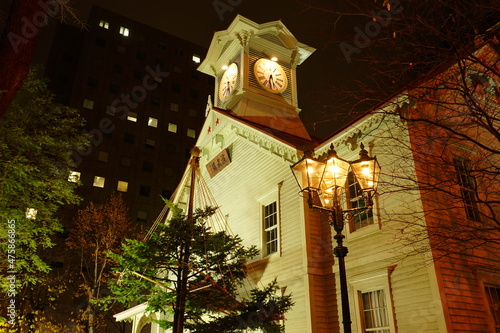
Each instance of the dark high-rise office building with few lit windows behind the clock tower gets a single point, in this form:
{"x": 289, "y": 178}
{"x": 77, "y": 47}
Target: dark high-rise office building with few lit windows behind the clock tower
{"x": 144, "y": 102}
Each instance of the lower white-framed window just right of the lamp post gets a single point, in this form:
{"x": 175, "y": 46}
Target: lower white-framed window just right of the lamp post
{"x": 374, "y": 309}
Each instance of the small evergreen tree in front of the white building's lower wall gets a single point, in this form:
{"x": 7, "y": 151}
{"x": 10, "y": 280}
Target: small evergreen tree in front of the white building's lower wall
{"x": 151, "y": 272}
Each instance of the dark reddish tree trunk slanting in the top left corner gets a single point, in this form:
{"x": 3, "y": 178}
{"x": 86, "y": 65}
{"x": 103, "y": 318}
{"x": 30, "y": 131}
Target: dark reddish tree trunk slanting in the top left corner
{"x": 17, "y": 46}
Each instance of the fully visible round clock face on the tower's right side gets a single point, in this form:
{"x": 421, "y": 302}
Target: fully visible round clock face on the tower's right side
{"x": 270, "y": 76}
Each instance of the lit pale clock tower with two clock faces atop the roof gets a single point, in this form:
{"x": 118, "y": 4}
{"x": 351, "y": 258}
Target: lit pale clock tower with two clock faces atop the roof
{"x": 254, "y": 66}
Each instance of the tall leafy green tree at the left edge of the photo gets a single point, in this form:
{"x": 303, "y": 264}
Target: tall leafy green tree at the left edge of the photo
{"x": 36, "y": 137}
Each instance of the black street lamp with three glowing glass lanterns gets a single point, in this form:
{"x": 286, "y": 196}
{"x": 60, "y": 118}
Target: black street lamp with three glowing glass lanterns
{"x": 323, "y": 181}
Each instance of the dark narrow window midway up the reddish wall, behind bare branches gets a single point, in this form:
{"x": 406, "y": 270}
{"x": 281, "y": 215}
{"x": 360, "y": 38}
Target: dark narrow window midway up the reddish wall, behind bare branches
{"x": 467, "y": 184}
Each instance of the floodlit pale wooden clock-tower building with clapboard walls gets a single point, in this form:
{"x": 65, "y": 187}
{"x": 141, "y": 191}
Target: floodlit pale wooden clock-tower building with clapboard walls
{"x": 251, "y": 137}
